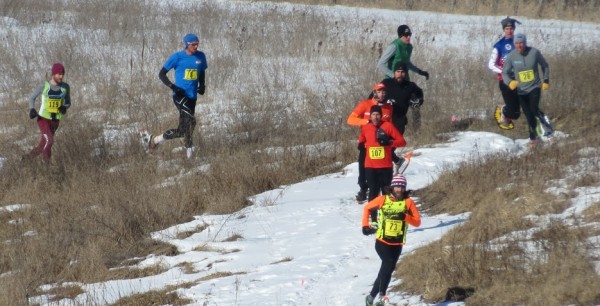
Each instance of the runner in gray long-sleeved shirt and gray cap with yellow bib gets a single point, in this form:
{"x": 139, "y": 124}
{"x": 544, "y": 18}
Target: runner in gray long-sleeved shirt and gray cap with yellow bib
{"x": 520, "y": 72}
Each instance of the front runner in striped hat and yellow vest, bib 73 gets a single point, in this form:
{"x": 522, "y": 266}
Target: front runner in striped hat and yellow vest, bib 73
{"x": 396, "y": 211}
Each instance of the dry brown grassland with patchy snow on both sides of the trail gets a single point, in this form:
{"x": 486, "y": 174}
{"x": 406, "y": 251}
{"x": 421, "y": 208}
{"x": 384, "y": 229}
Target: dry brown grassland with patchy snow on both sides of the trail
{"x": 273, "y": 91}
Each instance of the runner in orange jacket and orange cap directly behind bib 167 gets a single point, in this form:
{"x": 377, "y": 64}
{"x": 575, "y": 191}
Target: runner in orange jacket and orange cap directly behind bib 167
{"x": 361, "y": 116}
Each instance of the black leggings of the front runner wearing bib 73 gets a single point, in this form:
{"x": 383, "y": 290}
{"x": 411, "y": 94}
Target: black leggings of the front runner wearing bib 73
{"x": 389, "y": 255}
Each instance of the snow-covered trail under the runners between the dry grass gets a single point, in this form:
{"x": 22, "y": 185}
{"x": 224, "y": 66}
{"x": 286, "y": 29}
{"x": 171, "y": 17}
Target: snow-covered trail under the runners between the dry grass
{"x": 297, "y": 245}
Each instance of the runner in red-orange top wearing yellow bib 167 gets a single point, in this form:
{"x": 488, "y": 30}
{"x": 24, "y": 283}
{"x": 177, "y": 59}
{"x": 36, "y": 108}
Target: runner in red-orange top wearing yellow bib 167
{"x": 380, "y": 138}
